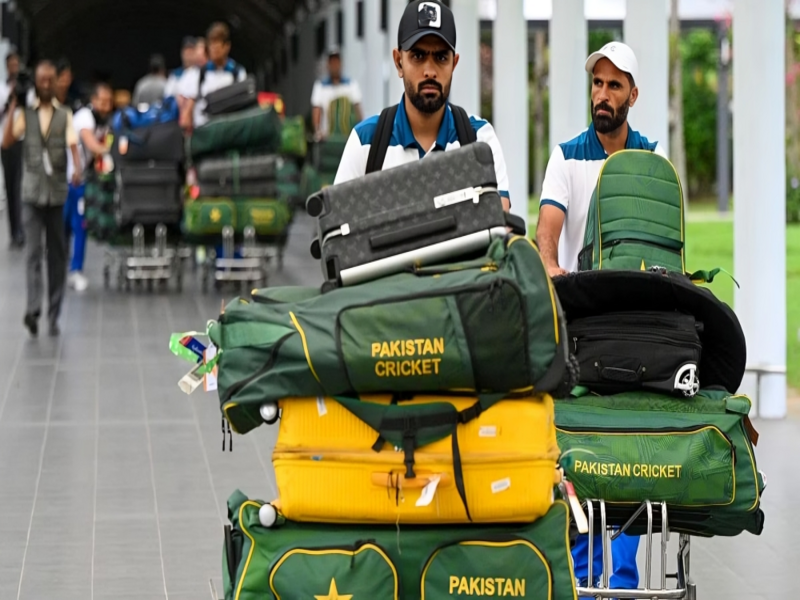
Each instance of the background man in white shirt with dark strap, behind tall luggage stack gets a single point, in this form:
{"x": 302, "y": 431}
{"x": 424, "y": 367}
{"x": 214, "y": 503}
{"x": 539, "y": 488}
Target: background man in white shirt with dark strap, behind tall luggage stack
{"x": 220, "y": 71}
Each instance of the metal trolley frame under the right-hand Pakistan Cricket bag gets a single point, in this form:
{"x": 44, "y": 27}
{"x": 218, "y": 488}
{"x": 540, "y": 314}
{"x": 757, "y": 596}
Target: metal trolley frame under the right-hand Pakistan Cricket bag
{"x": 684, "y": 588}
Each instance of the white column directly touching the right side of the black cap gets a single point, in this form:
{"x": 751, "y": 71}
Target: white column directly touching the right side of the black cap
{"x": 465, "y": 91}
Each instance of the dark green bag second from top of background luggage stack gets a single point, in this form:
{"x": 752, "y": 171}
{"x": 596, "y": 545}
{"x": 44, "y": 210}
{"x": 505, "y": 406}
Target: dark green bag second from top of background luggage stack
{"x": 255, "y": 128}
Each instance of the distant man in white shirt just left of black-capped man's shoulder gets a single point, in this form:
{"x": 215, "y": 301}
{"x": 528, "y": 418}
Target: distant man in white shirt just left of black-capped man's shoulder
{"x": 330, "y": 93}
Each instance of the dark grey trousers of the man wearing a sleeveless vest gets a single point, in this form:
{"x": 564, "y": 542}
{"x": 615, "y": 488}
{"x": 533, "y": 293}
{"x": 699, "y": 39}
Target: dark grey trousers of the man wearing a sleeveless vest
{"x": 45, "y": 236}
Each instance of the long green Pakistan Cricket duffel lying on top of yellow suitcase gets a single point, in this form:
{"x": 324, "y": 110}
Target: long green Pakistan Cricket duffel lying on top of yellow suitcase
{"x": 489, "y": 326}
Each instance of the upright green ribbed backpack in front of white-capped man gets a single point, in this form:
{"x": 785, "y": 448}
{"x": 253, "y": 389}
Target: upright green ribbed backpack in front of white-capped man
{"x": 635, "y": 218}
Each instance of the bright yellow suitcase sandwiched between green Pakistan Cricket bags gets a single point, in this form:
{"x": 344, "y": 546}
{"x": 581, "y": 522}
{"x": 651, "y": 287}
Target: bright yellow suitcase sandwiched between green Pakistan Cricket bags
{"x": 500, "y": 467}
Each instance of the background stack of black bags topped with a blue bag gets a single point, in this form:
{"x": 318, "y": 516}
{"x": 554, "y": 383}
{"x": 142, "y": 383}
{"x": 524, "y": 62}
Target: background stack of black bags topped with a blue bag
{"x": 148, "y": 154}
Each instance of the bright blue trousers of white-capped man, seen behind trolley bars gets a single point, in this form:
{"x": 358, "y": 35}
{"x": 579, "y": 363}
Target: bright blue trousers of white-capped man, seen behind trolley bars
{"x": 625, "y": 573}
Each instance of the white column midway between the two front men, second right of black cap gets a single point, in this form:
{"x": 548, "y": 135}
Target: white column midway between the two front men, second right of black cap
{"x": 510, "y": 97}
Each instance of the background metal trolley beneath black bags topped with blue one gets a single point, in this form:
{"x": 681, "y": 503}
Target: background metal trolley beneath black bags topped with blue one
{"x": 159, "y": 264}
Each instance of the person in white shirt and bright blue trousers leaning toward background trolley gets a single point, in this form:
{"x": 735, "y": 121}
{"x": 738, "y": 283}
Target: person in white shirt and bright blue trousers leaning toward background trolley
{"x": 91, "y": 125}
